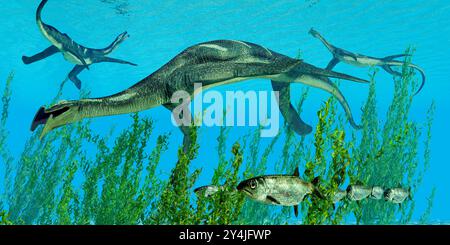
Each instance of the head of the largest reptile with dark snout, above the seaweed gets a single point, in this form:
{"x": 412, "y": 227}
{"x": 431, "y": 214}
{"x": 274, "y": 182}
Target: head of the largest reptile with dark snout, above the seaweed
{"x": 63, "y": 113}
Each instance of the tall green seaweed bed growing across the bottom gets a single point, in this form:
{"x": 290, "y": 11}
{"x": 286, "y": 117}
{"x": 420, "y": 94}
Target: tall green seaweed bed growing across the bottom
{"x": 57, "y": 181}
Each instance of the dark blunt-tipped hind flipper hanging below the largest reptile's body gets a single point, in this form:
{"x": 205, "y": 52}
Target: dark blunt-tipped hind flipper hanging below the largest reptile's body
{"x": 287, "y": 109}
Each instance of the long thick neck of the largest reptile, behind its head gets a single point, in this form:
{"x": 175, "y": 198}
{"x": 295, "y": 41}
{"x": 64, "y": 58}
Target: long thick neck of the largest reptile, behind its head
{"x": 144, "y": 95}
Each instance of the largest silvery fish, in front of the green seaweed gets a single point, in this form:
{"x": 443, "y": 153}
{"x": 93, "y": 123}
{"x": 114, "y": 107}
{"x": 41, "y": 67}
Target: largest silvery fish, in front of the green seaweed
{"x": 282, "y": 190}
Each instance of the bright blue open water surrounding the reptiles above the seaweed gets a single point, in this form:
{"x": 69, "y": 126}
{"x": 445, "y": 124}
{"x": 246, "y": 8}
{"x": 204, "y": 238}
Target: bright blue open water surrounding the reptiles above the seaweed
{"x": 161, "y": 29}
